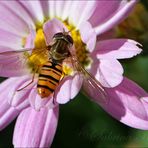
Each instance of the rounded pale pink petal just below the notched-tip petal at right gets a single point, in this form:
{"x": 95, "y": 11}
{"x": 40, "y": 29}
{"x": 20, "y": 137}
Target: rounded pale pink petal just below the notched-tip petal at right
{"x": 107, "y": 72}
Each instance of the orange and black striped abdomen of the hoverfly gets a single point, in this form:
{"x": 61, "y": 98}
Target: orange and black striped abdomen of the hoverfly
{"x": 49, "y": 78}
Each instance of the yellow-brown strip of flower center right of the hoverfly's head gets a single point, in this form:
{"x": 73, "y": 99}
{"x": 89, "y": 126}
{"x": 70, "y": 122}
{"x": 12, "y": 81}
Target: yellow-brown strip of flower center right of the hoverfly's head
{"x": 82, "y": 51}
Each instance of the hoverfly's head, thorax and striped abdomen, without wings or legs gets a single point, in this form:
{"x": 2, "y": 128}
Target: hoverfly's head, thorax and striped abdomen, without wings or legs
{"x": 51, "y": 72}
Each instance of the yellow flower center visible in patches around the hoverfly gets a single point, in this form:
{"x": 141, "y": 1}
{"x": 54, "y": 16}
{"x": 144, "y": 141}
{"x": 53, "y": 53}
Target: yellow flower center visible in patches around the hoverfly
{"x": 39, "y": 57}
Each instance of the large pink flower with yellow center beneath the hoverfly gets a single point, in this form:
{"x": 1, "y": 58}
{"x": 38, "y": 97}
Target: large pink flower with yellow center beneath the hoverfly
{"x": 37, "y": 119}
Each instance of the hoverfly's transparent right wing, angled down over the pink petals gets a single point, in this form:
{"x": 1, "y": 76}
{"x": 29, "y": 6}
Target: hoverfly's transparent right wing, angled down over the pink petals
{"x": 91, "y": 85}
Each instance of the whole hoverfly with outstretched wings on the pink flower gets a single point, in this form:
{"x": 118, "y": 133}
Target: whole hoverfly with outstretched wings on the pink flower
{"x": 51, "y": 72}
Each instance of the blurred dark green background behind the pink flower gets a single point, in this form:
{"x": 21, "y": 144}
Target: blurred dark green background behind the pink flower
{"x": 82, "y": 123}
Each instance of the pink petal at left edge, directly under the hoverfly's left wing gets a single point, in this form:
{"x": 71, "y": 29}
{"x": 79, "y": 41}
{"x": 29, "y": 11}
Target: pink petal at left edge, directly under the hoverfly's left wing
{"x": 13, "y": 63}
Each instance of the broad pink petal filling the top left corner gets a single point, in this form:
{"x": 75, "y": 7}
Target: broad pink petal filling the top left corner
{"x": 12, "y": 22}
